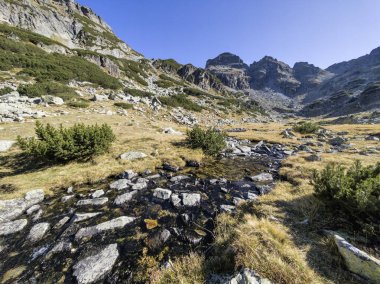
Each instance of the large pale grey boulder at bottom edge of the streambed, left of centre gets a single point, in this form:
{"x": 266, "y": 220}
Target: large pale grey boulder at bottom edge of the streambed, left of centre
{"x": 95, "y": 267}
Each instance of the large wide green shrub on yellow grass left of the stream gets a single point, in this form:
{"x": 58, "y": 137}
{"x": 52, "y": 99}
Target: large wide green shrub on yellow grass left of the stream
{"x": 66, "y": 144}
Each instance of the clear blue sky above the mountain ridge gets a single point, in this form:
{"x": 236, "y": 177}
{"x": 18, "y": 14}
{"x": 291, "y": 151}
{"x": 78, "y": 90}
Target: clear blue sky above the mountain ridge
{"x": 321, "y": 32}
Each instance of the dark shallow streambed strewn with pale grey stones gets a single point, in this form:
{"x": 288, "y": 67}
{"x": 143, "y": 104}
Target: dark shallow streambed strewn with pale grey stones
{"x": 98, "y": 233}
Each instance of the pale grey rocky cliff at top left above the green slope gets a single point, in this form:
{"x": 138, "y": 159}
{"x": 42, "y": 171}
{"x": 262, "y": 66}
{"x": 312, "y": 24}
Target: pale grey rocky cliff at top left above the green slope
{"x": 65, "y": 21}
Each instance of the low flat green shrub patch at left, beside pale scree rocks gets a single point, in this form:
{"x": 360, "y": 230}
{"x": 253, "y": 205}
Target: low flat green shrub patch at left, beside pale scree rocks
{"x": 48, "y": 88}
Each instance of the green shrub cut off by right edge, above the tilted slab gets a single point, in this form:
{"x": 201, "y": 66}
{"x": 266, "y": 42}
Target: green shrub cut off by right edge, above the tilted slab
{"x": 355, "y": 191}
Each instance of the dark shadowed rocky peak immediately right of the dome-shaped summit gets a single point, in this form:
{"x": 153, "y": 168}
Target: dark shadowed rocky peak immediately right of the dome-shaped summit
{"x": 273, "y": 74}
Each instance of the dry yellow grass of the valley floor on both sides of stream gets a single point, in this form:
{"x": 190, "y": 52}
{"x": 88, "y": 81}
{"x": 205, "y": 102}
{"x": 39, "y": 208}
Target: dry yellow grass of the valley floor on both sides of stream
{"x": 279, "y": 235}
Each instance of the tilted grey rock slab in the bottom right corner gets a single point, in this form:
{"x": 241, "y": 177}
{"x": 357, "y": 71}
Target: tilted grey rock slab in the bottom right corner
{"x": 358, "y": 261}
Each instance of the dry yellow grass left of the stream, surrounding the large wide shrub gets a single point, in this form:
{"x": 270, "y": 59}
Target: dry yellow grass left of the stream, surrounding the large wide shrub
{"x": 134, "y": 132}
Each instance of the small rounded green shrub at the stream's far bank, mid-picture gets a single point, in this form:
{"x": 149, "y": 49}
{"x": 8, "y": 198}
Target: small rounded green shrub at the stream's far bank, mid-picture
{"x": 210, "y": 141}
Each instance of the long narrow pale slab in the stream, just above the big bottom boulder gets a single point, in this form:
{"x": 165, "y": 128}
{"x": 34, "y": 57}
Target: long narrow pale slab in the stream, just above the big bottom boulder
{"x": 117, "y": 223}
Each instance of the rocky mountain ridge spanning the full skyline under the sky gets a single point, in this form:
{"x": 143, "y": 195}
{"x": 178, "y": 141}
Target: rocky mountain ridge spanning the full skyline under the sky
{"x": 304, "y": 89}
